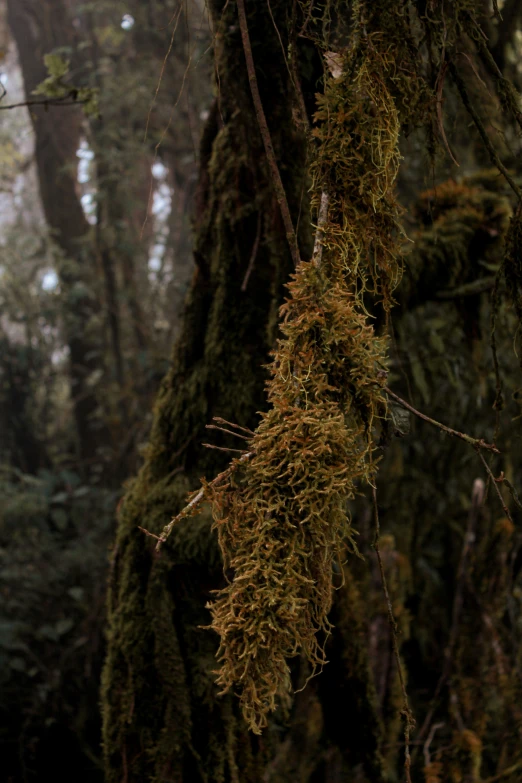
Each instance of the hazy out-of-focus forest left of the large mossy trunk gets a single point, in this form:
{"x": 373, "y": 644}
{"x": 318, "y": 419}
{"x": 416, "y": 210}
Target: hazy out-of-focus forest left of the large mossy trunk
{"x": 86, "y": 272}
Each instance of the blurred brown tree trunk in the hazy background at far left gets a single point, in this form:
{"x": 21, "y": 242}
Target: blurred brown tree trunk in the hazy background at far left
{"x": 57, "y": 134}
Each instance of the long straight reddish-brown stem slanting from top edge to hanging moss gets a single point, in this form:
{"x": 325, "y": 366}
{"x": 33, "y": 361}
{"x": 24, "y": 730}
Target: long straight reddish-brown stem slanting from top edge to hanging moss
{"x": 277, "y": 182}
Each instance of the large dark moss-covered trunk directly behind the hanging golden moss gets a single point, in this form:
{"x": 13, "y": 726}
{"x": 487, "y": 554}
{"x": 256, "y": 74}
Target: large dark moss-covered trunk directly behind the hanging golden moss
{"x": 163, "y": 717}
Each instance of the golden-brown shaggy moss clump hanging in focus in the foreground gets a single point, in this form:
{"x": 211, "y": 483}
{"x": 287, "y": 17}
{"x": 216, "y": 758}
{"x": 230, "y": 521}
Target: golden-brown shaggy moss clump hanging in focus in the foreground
{"x": 282, "y": 518}
